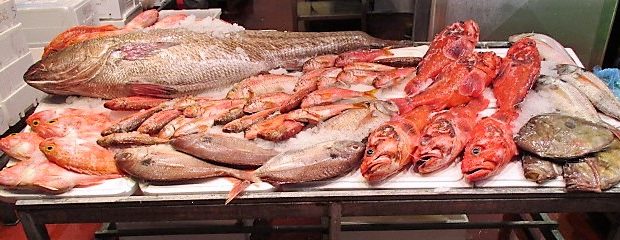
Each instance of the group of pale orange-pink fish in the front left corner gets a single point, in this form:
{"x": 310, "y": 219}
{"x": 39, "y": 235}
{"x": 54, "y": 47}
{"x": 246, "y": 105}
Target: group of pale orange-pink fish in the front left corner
{"x": 59, "y": 154}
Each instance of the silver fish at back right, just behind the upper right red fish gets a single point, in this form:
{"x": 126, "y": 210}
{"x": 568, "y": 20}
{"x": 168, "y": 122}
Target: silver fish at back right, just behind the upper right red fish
{"x": 548, "y": 48}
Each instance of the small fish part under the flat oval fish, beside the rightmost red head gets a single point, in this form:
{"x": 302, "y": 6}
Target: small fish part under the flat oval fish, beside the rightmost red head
{"x": 539, "y": 170}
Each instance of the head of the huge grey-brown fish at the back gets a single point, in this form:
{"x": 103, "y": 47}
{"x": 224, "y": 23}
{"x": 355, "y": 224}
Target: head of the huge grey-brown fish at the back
{"x": 60, "y": 72}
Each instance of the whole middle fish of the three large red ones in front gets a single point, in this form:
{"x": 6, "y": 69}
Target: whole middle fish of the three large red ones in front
{"x": 444, "y": 138}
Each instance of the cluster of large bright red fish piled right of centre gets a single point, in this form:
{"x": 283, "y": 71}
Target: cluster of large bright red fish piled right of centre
{"x": 450, "y": 80}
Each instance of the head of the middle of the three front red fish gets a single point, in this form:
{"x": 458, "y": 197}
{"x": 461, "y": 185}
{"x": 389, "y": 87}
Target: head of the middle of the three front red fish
{"x": 436, "y": 146}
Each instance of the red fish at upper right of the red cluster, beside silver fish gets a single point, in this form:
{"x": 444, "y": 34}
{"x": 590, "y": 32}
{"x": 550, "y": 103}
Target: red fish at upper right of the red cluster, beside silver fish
{"x": 520, "y": 69}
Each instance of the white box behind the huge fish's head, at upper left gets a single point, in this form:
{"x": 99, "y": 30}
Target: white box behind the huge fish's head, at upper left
{"x": 44, "y": 19}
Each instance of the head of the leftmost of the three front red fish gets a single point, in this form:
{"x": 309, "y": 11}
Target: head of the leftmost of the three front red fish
{"x": 386, "y": 153}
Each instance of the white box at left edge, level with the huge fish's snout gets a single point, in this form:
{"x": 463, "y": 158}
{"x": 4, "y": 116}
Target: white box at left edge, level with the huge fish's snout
{"x": 12, "y": 75}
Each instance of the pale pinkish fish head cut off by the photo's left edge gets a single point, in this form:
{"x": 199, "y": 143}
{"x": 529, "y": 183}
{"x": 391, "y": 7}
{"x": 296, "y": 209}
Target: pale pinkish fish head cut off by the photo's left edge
{"x": 20, "y": 145}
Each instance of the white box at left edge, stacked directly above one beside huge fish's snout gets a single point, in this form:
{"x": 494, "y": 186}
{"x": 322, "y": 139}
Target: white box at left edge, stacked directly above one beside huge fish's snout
{"x": 12, "y": 44}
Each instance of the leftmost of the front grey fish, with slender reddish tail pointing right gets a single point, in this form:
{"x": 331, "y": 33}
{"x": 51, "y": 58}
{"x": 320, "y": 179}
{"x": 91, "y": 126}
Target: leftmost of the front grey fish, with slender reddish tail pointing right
{"x": 162, "y": 164}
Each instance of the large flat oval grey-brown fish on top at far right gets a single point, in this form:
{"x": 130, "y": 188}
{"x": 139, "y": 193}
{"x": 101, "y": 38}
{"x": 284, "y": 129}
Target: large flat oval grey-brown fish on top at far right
{"x": 561, "y": 136}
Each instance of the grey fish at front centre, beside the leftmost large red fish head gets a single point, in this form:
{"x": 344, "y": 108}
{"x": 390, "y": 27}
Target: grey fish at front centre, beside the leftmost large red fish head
{"x": 319, "y": 162}
